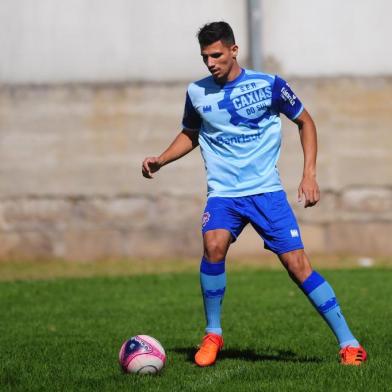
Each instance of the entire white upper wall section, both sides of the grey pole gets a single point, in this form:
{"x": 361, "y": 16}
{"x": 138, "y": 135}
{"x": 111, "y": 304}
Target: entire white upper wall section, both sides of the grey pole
{"x": 53, "y": 41}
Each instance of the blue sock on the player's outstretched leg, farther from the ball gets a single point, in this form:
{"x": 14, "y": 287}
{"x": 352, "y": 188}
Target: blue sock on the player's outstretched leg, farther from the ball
{"x": 323, "y": 298}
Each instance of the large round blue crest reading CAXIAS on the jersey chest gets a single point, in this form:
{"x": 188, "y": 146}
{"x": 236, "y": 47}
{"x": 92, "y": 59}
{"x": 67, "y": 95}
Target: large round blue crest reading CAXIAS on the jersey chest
{"x": 248, "y": 102}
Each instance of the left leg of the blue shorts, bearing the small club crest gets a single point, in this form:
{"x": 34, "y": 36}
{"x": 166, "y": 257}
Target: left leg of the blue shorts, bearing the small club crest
{"x": 221, "y": 213}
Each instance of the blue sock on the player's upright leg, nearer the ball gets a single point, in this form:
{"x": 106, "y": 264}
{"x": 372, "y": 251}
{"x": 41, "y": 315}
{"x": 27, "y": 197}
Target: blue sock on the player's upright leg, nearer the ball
{"x": 213, "y": 286}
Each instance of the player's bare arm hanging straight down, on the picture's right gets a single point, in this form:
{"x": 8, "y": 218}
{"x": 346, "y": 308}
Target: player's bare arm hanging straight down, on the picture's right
{"x": 308, "y": 186}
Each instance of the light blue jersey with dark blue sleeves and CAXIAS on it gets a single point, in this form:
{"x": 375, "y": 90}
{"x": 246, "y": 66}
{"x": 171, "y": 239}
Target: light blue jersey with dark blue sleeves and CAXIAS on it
{"x": 240, "y": 130}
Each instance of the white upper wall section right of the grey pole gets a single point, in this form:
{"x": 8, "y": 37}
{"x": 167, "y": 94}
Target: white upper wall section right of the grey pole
{"x": 334, "y": 37}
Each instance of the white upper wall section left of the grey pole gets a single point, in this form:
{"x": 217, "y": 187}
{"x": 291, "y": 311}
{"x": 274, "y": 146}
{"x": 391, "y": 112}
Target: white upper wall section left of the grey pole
{"x": 98, "y": 40}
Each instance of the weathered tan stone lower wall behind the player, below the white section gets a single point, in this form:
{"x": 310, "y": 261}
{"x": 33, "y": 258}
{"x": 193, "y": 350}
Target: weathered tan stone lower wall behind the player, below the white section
{"x": 71, "y": 185}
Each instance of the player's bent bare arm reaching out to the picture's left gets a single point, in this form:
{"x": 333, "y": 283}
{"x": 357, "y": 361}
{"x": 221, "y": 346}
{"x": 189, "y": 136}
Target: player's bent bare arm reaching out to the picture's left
{"x": 184, "y": 143}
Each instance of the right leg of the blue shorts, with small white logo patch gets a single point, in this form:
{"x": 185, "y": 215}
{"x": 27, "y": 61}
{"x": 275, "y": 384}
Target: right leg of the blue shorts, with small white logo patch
{"x": 276, "y": 223}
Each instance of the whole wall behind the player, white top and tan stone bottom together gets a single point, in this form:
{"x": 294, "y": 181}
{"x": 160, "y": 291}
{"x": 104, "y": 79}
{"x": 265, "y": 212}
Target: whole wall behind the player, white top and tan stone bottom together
{"x": 71, "y": 143}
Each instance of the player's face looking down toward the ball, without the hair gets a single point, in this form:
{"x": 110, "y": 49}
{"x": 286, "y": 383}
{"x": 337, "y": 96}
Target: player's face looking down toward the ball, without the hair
{"x": 219, "y": 59}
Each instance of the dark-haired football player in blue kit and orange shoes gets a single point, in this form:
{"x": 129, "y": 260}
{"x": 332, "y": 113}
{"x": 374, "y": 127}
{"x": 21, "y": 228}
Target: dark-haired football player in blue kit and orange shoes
{"x": 234, "y": 116}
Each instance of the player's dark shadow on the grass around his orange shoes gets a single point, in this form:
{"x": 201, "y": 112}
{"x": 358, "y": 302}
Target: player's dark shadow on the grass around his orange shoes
{"x": 251, "y": 355}
